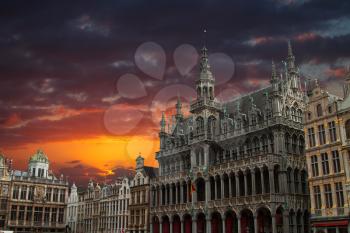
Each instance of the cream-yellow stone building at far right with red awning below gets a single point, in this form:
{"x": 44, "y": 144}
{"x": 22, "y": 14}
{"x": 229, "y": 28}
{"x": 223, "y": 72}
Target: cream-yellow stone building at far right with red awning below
{"x": 327, "y": 127}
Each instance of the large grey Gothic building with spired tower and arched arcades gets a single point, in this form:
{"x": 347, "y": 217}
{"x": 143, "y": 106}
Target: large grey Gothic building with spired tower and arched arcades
{"x": 235, "y": 166}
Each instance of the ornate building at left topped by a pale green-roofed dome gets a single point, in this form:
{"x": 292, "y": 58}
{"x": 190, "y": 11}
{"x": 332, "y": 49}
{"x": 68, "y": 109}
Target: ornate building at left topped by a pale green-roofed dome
{"x": 38, "y": 200}
